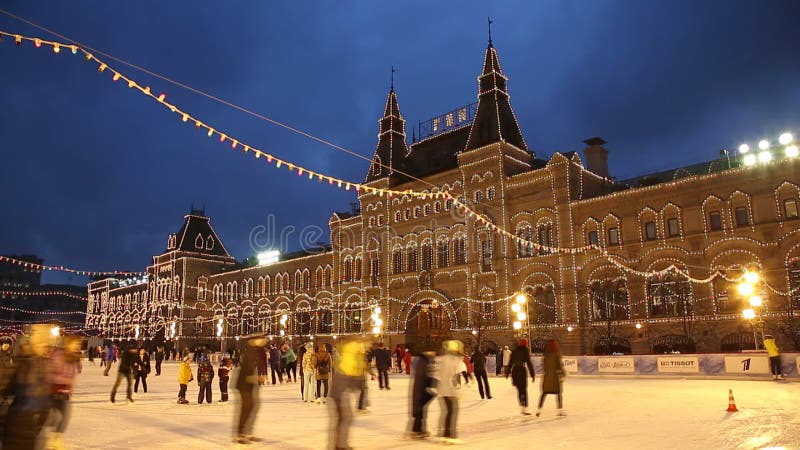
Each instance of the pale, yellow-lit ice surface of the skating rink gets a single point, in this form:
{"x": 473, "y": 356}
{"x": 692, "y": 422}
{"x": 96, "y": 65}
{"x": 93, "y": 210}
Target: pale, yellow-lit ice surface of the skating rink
{"x": 603, "y": 413}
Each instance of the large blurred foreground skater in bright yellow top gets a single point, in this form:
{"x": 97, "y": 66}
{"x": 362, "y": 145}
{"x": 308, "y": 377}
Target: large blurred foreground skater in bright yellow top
{"x": 348, "y": 377}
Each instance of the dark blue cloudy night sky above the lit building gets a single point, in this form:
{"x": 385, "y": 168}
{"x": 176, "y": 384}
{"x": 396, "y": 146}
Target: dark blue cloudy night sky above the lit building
{"x": 95, "y": 176}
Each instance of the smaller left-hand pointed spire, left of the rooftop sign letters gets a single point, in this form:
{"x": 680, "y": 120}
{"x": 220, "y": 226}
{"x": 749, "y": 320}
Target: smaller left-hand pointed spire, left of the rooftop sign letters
{"x": 391, "y": 147}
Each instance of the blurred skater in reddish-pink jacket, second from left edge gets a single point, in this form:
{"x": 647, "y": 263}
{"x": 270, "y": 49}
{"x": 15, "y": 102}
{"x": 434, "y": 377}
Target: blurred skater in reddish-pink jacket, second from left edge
{"x": 66, "y": 365}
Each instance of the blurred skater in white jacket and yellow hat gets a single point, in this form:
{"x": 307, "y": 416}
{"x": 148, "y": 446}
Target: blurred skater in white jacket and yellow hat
{"x": 448, "y": 382}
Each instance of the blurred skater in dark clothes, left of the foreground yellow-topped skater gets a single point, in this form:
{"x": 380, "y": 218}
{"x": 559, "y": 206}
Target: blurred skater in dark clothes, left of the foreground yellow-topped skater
{"x": 247, "y": 384}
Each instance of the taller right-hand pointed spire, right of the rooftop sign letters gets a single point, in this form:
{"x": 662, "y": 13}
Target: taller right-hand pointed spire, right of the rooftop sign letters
{"x": 494, "y": 119}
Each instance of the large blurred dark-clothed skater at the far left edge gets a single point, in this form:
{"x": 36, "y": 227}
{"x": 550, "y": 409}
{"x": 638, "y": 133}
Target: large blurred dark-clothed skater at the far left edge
{"x": 32, "y": 391}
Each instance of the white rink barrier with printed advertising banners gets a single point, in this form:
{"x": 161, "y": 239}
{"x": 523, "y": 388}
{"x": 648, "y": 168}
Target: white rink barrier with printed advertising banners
{"x": 746, "y": 364}
